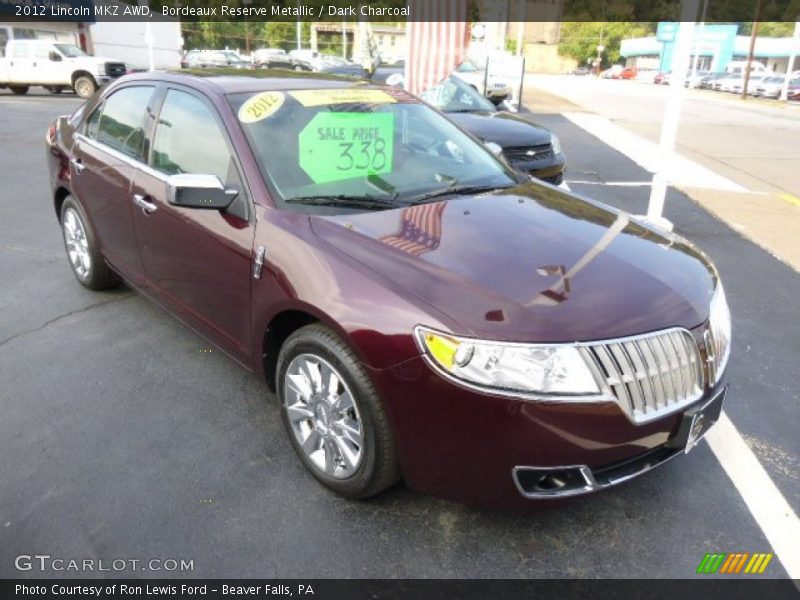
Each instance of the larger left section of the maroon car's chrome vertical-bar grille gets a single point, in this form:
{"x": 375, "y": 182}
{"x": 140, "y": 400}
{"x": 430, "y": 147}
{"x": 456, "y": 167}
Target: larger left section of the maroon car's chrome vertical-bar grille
{"x": 649, "y": 375}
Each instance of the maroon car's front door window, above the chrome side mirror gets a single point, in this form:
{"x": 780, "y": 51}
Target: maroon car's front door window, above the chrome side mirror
{"x": 188, "y": 139}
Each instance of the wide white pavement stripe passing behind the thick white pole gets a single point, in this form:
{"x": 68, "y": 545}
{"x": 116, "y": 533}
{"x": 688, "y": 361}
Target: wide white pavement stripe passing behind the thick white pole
{"x": 680, "y": 171}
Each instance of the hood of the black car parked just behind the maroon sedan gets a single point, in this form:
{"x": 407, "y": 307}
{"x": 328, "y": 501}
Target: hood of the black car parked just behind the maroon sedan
{"x": 502, "y": 128}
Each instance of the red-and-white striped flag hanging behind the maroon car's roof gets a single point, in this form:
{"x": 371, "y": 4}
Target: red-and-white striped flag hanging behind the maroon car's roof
{"x": 438, "y": 33}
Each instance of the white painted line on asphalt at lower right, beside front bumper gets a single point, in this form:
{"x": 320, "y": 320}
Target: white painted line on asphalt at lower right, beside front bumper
{"x": 770, "y": 509}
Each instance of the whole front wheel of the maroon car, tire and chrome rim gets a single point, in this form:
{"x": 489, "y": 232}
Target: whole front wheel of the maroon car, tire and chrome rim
{"x": 318, "y": 418}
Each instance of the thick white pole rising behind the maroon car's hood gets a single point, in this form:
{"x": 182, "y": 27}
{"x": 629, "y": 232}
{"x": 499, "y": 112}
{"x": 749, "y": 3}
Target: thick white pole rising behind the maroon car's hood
{"x": 672, "y": 111}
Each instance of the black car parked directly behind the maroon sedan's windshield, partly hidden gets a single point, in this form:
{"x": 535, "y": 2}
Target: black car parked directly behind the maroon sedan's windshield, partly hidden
{"x": 526, "y": 146}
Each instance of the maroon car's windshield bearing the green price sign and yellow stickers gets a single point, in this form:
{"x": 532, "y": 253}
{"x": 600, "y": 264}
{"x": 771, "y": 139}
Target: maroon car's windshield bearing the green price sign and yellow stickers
{"x": 366, "y": 148}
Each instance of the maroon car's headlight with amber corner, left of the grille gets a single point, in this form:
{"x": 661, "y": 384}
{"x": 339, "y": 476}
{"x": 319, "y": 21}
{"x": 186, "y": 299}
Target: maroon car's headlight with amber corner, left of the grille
{"x": 551, "y": 370}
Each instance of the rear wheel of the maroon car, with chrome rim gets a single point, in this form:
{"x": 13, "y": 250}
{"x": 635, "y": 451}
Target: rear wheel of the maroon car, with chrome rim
{"x": 83, "y": 252}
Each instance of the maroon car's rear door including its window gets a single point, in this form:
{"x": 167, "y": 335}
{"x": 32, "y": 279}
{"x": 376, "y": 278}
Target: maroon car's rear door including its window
{"x": 107, "y": 149}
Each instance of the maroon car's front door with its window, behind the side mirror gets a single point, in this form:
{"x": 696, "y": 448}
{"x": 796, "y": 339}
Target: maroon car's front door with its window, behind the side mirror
{"x": 197, "y": 261}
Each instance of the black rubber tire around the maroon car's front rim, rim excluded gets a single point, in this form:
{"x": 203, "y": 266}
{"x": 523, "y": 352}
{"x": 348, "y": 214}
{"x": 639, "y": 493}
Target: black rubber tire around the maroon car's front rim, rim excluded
{"x": 360, "y": 484}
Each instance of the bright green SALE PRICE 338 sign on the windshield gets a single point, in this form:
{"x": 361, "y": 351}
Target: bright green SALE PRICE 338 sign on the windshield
{"x": 336, "y": 145}
